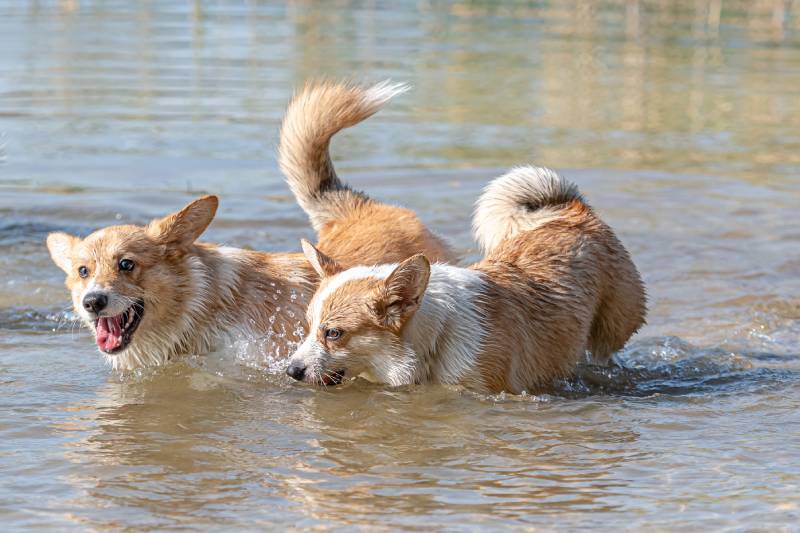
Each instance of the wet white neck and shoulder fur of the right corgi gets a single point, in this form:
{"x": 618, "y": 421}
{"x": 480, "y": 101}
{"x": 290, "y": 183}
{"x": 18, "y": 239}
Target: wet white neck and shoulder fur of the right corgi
{"x": 445, "y": 335}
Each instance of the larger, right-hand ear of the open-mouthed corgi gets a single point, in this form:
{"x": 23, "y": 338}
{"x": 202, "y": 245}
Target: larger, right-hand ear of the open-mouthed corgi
{"x": 182, "y": 228}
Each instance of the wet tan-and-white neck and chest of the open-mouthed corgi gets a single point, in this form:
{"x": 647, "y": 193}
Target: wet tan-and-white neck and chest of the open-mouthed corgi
{"x": 231, "y": 296}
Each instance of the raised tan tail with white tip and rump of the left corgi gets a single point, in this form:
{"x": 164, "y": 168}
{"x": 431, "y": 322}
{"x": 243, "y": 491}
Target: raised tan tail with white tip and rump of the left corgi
{"x": 337, "y": 212}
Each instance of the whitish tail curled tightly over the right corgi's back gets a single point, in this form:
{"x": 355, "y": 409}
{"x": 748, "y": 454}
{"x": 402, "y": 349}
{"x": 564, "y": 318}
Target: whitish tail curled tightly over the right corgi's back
{"x": 518, "y": 201}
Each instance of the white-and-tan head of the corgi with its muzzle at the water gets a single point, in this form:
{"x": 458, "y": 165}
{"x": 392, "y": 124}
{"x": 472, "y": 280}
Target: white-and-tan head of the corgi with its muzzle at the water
{"x": 356, "y": 319}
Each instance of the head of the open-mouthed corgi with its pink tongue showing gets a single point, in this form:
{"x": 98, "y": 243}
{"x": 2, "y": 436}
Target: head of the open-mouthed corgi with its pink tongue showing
{"x": 125, "y": 279}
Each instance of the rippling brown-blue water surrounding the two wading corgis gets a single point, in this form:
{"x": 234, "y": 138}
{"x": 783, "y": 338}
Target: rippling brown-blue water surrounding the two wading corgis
{"x": 680, "y": 122}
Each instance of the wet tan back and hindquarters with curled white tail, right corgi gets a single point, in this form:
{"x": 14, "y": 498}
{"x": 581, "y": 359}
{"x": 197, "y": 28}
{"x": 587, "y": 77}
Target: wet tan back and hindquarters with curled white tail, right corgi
{"x": 561, "y": 282}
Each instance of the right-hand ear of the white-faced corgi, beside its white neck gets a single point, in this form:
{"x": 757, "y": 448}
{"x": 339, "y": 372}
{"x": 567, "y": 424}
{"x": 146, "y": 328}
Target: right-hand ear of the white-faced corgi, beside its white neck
{"x": 403, "y": 291}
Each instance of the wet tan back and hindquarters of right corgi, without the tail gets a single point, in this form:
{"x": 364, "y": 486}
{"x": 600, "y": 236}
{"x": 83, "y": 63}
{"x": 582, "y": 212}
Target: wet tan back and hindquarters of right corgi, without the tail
{"x": 548, "y": 287}
